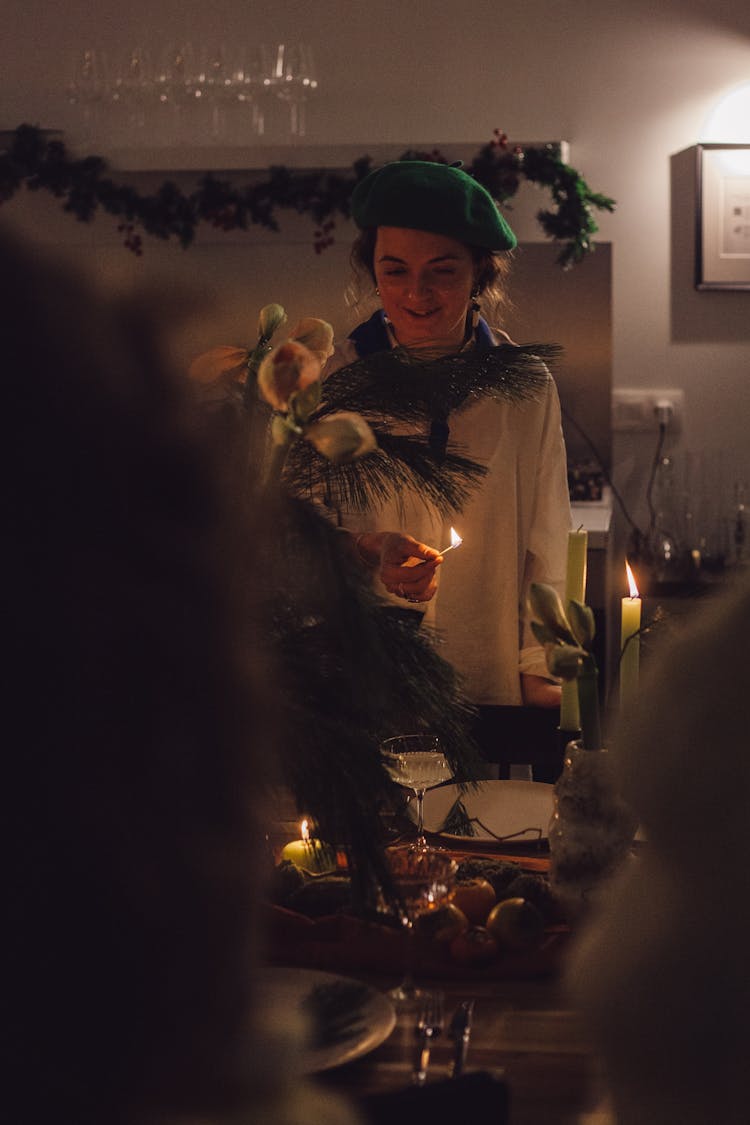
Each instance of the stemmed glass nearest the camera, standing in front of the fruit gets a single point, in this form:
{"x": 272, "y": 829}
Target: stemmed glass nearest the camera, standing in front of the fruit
{"x": 422, "y": 880}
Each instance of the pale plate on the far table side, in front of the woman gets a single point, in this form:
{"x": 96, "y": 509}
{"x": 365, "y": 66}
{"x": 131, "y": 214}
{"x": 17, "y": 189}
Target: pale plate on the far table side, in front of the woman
{"x": 517, "y": 809}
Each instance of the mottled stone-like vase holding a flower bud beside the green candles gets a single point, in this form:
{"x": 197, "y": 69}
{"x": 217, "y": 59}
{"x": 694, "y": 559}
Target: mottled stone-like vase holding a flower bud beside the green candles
{"x": 592, "y": 829}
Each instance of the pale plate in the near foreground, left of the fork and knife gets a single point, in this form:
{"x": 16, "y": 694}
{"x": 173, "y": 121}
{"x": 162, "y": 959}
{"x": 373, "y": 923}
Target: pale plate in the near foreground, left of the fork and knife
{"x": 285, "y": 992}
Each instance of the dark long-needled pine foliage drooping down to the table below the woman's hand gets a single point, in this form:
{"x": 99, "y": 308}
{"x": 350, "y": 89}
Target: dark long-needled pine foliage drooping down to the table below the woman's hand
{"x": 351, "y": 673}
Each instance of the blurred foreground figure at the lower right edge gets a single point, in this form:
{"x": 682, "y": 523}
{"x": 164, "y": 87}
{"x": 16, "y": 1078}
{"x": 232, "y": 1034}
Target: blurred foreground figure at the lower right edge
{"x": 663, "y": 970}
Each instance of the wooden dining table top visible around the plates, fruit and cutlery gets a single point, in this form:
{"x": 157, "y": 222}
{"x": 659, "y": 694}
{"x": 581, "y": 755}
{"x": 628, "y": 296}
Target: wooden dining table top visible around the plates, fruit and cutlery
{"x": 530, "y": 1060}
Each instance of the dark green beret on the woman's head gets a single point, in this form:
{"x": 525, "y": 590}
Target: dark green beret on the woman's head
{"x": 424, "y": 196}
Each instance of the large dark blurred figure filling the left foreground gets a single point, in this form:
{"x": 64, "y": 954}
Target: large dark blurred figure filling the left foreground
{"x": 134, "y": 734}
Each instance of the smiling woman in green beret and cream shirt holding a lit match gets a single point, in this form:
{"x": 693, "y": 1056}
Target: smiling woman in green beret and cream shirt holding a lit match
{"x": 435, "y": 245}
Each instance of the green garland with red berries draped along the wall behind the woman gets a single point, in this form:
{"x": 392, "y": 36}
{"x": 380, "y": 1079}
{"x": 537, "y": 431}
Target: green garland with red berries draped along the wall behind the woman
{"x": 41, "y": 163}
